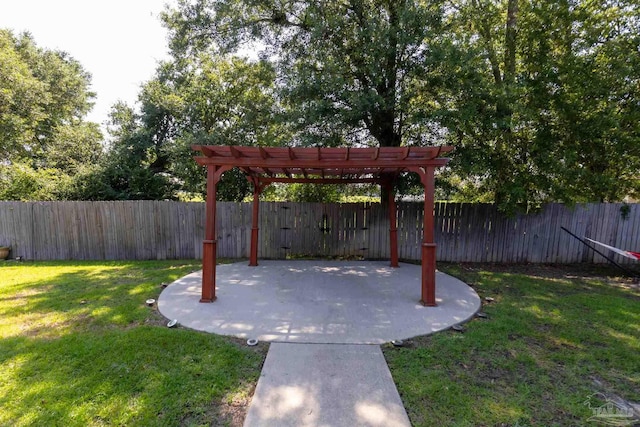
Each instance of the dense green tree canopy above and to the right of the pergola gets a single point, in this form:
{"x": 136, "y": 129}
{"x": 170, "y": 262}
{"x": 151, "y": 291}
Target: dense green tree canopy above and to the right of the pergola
{"x": 539, "y": 98}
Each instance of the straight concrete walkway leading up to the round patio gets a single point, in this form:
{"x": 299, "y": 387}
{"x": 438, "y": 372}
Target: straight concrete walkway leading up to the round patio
{"x": 325, "y": 385}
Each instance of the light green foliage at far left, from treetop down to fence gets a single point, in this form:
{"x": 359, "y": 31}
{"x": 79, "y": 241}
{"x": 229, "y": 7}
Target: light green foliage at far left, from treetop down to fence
{"x": 44, "y": 141}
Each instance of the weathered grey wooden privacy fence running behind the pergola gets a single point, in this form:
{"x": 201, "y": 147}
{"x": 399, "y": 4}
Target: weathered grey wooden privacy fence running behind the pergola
{"x": 175, "y": 230}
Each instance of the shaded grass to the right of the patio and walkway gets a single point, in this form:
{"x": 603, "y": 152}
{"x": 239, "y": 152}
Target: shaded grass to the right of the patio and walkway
{"x": 554, "y": 336}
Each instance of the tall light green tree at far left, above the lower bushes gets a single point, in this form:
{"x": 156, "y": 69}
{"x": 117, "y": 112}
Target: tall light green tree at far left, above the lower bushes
{"x": 43, "y": 93}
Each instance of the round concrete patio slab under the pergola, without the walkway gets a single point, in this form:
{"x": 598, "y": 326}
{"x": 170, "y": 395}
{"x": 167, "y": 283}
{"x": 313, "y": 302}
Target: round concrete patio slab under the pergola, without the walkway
{"x": 341, "y": 302}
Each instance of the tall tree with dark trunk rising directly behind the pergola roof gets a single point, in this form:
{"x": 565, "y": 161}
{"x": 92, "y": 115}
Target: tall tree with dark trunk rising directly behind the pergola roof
{"x": 345, "y": 69}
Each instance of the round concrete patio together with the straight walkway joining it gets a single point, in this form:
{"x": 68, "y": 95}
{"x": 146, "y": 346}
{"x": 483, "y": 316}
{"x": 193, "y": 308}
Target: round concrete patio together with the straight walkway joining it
{"x": 325, "y": 320}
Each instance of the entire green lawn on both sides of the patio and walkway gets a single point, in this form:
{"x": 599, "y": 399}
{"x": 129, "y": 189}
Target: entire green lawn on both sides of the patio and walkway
{"x": 78, "y": 346}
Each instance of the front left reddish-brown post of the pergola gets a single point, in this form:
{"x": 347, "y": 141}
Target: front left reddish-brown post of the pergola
{"x": 209, "y": 245}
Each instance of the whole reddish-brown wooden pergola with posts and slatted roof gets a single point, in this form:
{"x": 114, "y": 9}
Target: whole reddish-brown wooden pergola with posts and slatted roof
{"x": 265, "y": 165}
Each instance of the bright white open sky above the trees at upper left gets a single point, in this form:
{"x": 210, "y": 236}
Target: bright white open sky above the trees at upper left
{"x": 119, "y": 42}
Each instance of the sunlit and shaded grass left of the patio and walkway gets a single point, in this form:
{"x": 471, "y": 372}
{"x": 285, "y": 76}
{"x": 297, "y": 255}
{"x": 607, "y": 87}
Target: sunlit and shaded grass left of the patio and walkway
{"x": 79, "y": 347}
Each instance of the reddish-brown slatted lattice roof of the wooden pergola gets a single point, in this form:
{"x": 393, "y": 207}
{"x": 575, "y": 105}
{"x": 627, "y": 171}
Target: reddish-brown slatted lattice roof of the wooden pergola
{"x": 308, "y": 164}
